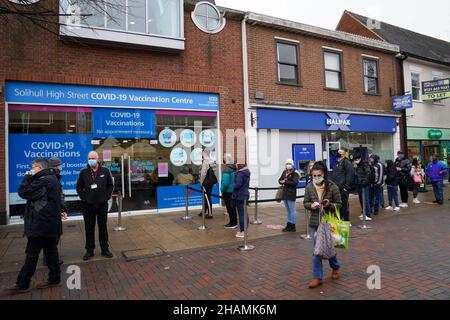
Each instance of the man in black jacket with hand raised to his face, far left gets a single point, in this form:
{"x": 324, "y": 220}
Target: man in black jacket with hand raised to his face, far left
{"x": 42, "y": 224}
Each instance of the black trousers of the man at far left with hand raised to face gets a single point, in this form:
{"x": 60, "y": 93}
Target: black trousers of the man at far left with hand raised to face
{"x": 34, "y": 247}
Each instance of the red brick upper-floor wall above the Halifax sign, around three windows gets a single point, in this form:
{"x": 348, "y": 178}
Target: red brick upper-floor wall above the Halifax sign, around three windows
{"x": 263, "y": 74}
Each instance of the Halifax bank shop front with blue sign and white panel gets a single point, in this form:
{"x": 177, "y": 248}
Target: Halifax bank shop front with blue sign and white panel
{"x": 316, "y": 136}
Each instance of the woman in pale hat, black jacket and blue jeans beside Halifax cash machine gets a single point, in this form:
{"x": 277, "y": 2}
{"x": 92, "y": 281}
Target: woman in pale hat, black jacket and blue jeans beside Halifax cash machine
{"x": 289, "y": 180}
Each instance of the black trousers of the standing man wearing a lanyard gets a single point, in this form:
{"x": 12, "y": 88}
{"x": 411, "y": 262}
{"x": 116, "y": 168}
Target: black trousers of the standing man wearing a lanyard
{"x": 91, "y": 213}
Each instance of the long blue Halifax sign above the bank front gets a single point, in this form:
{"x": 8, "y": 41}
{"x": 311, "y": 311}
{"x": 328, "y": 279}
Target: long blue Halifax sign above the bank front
{"x": 324, "y": 121}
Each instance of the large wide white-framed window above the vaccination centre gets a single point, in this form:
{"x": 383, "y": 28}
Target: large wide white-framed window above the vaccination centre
{"x": 154, "y": 17}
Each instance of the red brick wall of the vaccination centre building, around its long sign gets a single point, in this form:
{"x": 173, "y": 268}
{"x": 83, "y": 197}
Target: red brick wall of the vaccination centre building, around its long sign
{"x": 209, "y": 63}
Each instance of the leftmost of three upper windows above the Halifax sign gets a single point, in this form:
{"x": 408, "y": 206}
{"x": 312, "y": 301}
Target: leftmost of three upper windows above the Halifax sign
{"x": 287, "y": 58}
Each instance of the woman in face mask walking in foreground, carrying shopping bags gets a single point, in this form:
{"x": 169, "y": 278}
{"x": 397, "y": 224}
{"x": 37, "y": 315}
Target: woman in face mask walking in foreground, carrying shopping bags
{"x": 321, "y": 197}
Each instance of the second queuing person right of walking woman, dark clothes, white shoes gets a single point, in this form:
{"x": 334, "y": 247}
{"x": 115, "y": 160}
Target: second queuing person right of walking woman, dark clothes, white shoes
{"x": 363, "y": 173}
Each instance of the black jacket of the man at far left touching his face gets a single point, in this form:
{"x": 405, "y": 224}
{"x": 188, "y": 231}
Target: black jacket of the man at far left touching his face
{"x": 42, "y": 216}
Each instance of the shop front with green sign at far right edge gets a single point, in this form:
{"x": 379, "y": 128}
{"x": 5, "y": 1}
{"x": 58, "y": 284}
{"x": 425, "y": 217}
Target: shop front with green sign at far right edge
{"x": 423, "y": 143}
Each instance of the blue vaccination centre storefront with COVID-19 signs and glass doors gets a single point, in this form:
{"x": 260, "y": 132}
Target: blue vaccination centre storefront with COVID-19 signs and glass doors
{"x": 152, "y": 141}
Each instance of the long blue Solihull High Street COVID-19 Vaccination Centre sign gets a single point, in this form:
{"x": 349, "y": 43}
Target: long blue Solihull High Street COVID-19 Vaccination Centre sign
{"x": 64, "y": 94}
